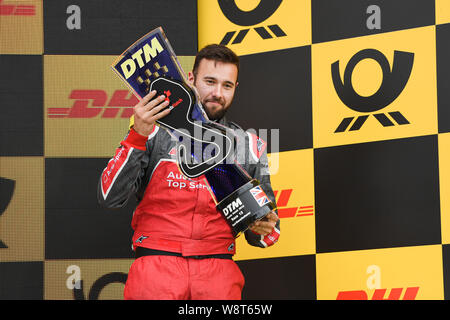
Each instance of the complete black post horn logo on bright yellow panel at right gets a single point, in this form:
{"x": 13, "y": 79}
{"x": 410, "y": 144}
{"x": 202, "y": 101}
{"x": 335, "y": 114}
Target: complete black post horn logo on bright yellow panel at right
{"x": 393, "y": 83}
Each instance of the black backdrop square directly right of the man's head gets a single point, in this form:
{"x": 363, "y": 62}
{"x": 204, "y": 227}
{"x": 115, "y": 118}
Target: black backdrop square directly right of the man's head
{"x": 274, "y": 92}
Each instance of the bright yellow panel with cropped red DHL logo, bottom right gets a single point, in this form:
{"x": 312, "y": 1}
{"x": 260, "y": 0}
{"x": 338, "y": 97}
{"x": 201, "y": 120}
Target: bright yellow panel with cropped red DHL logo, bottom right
{"x": 408, "y": 273}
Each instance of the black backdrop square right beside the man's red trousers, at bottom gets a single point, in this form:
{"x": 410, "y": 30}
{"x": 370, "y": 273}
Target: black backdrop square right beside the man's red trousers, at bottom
{"x": 285, "y": 278}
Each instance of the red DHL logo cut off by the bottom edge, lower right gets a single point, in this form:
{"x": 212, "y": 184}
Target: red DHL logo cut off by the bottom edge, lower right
{"x": 379, "y": 294}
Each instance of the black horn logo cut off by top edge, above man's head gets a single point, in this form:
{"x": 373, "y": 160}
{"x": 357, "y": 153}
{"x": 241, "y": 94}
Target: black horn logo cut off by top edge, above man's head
{"x": 262, "y": 12}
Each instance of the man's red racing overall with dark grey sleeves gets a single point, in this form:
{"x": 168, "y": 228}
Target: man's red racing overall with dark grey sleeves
{"x": 184, "y": 244}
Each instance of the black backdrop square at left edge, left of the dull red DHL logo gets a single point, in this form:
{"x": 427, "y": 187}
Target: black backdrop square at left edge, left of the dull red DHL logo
{"x": 21, "y": 101}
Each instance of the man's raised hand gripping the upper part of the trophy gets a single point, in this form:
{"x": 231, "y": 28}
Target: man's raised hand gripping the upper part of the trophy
{"x": 146, "y": 112}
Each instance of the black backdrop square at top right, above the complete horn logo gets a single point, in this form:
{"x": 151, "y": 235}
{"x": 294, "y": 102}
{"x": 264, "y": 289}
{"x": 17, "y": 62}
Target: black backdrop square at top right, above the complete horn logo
{"x": 333, "y": 20}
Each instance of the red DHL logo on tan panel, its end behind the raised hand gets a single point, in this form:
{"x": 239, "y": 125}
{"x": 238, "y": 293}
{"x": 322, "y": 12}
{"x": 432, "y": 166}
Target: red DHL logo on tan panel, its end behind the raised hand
{"x": 91, "y": 103}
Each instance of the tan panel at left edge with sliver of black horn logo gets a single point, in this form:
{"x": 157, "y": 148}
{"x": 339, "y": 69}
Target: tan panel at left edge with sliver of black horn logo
{"x": 22, "y": 209}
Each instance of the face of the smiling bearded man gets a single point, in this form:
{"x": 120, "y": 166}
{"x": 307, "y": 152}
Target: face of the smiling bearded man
{"x": 216, "y": 83}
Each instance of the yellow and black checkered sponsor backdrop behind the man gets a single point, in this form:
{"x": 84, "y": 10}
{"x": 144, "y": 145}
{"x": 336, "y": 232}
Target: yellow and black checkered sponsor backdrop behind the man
{"x": 360, "y": 93}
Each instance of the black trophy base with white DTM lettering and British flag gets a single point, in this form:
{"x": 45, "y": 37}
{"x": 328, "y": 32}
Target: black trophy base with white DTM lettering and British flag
{"x": 245, "y": 205}
